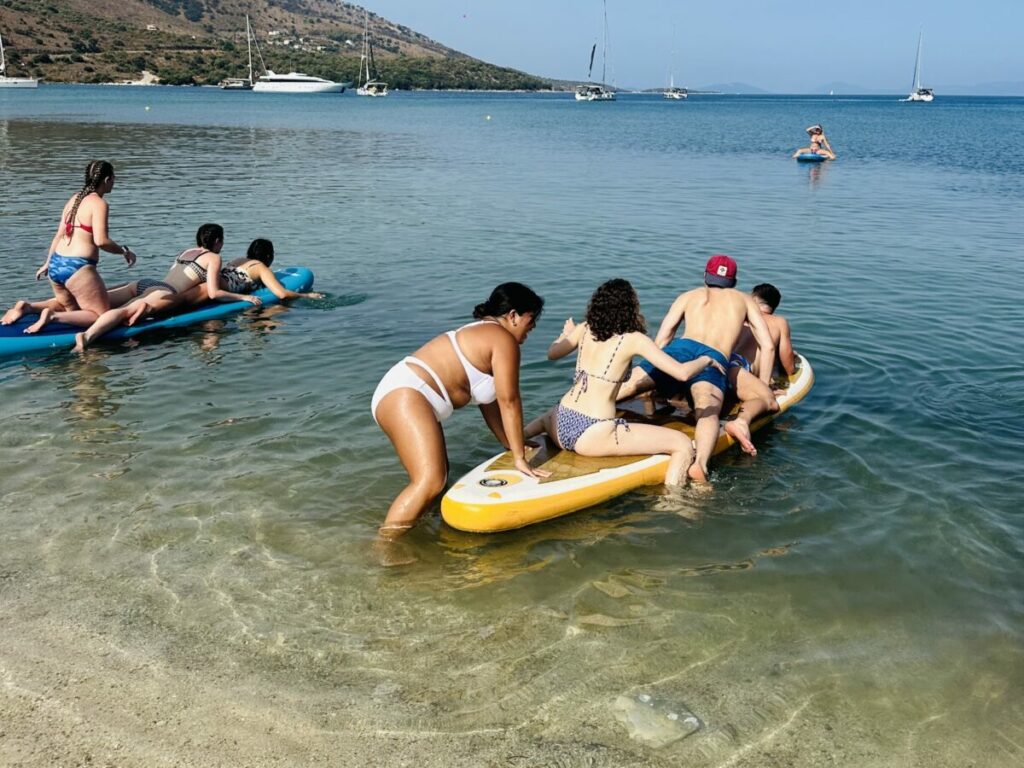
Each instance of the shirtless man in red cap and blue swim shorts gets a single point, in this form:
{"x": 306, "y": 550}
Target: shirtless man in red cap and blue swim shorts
{"x": 715, "y": 315}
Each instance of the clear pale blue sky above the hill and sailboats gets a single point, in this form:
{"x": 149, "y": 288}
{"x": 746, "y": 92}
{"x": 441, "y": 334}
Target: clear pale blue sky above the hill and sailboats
{"x": 784, "y": 47}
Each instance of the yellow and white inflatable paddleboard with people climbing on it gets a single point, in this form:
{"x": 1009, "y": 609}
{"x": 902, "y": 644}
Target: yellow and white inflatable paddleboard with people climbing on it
{"x": 496, "y": 497}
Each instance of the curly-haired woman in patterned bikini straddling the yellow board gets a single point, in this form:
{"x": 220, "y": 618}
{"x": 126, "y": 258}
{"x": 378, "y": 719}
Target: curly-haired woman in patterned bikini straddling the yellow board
{"x": 613, "y": 334}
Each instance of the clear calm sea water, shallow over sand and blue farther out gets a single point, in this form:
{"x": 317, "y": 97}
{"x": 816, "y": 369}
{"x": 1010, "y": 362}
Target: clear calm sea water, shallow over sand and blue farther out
{"x": 206, "y": 501}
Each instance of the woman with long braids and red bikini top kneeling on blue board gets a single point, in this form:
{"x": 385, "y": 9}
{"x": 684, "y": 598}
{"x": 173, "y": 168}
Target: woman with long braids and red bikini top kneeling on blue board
{"x": 74, "y": 254}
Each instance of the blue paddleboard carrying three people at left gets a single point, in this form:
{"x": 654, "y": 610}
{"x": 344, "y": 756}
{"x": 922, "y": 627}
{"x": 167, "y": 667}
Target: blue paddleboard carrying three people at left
{"x": 14, "y": 340}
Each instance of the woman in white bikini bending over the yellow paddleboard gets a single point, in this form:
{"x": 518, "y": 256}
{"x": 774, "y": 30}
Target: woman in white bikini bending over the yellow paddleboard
{"x": 477, "y": 364}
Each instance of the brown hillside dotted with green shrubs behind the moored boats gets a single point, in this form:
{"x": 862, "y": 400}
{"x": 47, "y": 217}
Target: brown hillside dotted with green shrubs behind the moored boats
{"x": 201, "y": 42}
